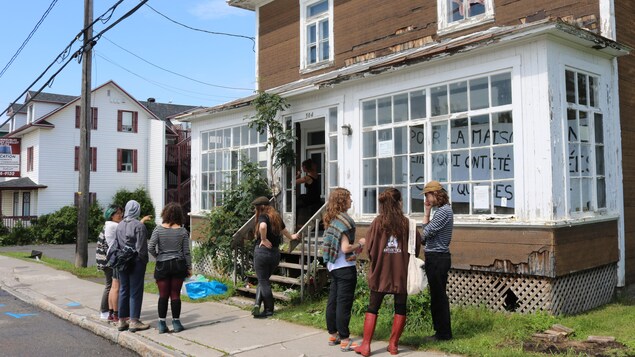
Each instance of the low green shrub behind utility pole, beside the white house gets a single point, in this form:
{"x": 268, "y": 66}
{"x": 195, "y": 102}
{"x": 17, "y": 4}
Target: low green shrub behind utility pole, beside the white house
{"x": 60, "y": 227}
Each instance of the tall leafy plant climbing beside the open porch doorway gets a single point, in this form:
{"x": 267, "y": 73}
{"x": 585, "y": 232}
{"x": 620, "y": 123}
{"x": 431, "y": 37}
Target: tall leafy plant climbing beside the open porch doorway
{"x": 280, "y": 140}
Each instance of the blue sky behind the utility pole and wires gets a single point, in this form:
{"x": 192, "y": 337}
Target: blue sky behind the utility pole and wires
{"x": 131, "y": 52}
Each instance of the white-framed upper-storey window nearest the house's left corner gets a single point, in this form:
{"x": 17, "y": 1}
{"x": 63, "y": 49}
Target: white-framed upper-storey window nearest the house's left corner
{"x": 306, "y": 21}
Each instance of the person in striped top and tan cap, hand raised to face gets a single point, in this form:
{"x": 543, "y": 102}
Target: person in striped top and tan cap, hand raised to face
{"x": 437, "y": 234}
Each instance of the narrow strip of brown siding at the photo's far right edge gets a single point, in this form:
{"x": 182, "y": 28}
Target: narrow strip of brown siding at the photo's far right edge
{"x": 625, "y": 28}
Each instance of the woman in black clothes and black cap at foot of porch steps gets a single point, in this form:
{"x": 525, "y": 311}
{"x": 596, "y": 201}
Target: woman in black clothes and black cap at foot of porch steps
{"x": 269, "y": 230}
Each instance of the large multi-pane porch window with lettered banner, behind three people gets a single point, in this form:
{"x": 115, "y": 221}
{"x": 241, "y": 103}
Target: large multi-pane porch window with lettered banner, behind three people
{"x": 469, "y": 148}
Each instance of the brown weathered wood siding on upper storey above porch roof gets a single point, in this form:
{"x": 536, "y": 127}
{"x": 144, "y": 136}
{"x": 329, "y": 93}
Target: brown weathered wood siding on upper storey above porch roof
{"x": 373, "y": 31}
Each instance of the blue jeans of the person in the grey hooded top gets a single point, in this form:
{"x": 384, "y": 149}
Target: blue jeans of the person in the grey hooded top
{"x": 131, "y": 290}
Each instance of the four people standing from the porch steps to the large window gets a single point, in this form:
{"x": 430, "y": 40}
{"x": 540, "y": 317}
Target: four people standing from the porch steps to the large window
{"x": 387, "y": 242}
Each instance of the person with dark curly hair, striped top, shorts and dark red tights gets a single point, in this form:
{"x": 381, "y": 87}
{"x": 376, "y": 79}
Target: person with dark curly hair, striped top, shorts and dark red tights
{"x": 170, "y": 245}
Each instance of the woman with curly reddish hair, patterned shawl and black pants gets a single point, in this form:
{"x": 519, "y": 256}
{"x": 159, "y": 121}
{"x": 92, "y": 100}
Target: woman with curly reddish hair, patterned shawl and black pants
{"x": 340, "y": 252}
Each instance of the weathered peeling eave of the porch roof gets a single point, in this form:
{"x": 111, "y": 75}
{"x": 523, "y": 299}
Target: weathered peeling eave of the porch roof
{"x": 428, "y": 52}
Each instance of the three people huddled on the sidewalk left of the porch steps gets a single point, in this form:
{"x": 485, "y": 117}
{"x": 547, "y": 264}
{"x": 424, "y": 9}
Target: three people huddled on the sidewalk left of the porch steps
{"x": 124, "y": 234}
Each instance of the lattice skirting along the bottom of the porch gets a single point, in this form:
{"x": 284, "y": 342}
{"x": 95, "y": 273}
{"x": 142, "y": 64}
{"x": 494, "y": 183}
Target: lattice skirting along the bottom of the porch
{"x": 569, "y": 294}
